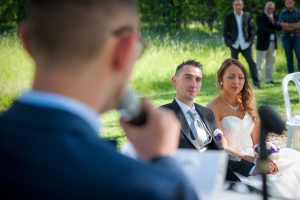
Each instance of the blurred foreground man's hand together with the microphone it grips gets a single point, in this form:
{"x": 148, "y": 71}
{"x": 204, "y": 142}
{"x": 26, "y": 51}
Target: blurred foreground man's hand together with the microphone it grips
{"x": 157, "y": 136}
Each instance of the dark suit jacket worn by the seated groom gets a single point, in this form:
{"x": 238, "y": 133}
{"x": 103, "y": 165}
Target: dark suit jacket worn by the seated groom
{"x": 243, "y": 167}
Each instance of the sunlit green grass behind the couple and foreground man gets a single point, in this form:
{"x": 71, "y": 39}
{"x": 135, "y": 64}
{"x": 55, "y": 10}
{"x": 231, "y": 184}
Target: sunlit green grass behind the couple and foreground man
{"x": 152, "y": 73}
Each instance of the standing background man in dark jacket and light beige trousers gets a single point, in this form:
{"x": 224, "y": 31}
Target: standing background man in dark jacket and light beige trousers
{"x": 266, "y": 41}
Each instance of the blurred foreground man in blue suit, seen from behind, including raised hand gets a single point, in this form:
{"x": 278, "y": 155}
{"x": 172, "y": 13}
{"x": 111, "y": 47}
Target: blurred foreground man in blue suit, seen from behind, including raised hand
{"x": 84, "y": 51}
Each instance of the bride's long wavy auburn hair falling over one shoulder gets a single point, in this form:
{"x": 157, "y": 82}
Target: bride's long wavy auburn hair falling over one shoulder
{"x": 246, "y": 96}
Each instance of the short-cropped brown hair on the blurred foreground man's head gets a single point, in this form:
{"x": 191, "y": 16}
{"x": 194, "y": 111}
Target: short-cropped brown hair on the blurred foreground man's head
{"x": 74, "y": 29}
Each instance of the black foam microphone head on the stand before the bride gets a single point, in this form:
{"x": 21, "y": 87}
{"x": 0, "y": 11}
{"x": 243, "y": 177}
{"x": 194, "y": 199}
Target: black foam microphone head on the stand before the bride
{"x": 271, "y": 120}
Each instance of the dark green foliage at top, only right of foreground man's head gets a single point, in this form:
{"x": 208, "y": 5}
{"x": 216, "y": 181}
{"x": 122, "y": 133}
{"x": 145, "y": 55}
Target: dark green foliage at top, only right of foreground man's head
{"x": 175, "y": 14}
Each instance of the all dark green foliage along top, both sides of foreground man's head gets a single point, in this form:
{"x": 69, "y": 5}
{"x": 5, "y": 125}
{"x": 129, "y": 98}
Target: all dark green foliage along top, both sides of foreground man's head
{"x": 157, "y": 14}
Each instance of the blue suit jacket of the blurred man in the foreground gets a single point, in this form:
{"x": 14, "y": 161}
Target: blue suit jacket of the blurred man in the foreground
{"x": 53, "y": 154}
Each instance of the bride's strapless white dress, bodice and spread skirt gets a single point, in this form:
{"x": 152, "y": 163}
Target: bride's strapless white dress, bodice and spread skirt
{"x": 285, "y": 183}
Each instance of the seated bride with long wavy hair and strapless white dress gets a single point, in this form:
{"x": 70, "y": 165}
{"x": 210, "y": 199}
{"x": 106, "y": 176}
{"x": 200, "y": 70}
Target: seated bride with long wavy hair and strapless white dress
{"x": 235, "y": 114}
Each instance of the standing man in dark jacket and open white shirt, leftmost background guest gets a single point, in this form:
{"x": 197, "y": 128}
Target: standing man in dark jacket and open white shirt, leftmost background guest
{"x": 238, "y": 36}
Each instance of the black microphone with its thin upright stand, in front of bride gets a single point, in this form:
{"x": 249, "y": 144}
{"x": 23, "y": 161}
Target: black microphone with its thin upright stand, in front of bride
{"x": 270, "y": 122}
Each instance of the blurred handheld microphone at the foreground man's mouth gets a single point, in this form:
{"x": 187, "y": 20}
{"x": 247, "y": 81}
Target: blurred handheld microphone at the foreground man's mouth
{"x": 131, "y": 108}
